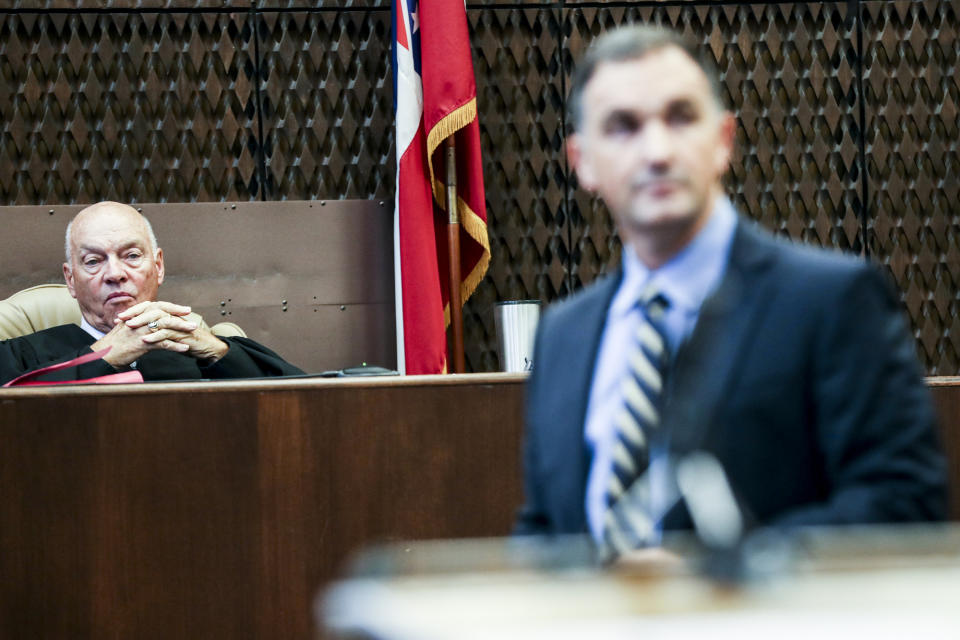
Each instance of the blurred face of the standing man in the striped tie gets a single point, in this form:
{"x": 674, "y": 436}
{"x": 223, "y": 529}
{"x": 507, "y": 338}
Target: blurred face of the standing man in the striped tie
{"x": 653, "y": 142}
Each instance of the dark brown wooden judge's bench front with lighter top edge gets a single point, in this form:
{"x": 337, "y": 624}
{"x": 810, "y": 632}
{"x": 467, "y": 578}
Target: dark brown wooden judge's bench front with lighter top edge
{"x": 219, "y": 510}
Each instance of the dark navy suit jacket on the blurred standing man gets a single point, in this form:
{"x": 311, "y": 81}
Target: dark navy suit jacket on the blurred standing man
{"x": 800, "y": 377}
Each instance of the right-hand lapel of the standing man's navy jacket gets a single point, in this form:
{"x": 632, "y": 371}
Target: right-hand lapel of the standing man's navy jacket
{"x": 707, "y": 362}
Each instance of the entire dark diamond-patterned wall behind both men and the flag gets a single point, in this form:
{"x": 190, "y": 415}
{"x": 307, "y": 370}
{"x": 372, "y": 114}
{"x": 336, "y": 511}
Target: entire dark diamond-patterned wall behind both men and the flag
{"x": 848, "y": 124}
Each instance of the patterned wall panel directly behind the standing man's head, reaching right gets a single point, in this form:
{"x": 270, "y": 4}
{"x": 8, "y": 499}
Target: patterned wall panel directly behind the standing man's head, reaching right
{"x": 788, "y": 72}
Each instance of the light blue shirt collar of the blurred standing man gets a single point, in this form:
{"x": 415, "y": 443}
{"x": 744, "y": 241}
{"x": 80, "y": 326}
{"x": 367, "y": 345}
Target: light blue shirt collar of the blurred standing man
{"x": 688, "y": 277}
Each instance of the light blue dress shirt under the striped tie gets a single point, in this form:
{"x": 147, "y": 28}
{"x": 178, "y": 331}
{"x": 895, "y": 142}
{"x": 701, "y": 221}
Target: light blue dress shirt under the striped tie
{"x": 686, "y": 281}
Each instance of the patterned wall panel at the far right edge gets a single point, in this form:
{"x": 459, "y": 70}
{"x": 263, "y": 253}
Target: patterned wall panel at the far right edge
{"x": 912, "y": 98}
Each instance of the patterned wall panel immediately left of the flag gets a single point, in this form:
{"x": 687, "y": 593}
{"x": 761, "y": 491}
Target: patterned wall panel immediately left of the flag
{"x": 327, "y": 99}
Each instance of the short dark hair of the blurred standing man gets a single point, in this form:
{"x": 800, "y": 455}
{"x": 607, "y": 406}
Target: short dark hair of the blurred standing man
{"x": 629, "y": 43}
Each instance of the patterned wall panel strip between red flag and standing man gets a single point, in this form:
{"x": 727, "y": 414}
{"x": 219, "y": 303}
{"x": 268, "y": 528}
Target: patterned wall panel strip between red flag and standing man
{"x": 520, "y": 102}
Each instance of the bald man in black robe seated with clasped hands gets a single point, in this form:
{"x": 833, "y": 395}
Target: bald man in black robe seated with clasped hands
{"x": 114, "y": 269}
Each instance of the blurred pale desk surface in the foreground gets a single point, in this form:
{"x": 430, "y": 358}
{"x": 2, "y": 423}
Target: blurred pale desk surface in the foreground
{"x": 868, "y": 583}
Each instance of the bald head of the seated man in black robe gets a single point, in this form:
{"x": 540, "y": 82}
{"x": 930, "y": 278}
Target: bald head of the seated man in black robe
{"x": 112, "y": 263}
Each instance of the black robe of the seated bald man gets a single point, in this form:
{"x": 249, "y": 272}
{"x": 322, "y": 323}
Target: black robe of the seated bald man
{"x": 245, "y": 359}
